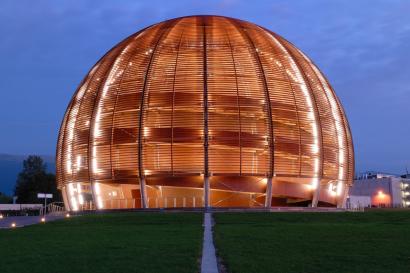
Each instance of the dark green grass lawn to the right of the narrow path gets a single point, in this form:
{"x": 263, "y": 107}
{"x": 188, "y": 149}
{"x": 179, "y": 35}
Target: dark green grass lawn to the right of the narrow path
{"x": 376, "y": 241}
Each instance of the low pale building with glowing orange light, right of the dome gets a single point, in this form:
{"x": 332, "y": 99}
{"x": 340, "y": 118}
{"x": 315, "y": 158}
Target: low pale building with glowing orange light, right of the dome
{"x": 379, "y": 190}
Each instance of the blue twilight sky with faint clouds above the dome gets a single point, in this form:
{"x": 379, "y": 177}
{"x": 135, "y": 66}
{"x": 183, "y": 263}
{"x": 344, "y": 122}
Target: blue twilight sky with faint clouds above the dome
{"x": 362, "y": 46}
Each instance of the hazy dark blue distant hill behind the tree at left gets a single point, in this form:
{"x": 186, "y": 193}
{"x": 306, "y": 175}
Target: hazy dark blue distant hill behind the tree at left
{"x": 11, "y": 165}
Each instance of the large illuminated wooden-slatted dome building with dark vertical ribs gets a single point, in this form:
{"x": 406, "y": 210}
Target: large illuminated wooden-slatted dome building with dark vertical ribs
{"x": 204, "y": 111}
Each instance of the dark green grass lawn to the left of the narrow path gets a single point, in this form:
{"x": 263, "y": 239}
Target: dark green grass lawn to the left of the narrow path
{"x": 119, "y": 242}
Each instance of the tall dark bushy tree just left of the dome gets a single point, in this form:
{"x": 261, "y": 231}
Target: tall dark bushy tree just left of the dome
{"x": 34, "y": 179}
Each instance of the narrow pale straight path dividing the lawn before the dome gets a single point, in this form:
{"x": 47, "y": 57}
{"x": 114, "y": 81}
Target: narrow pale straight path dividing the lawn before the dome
{"x": 208, "y": 264}
